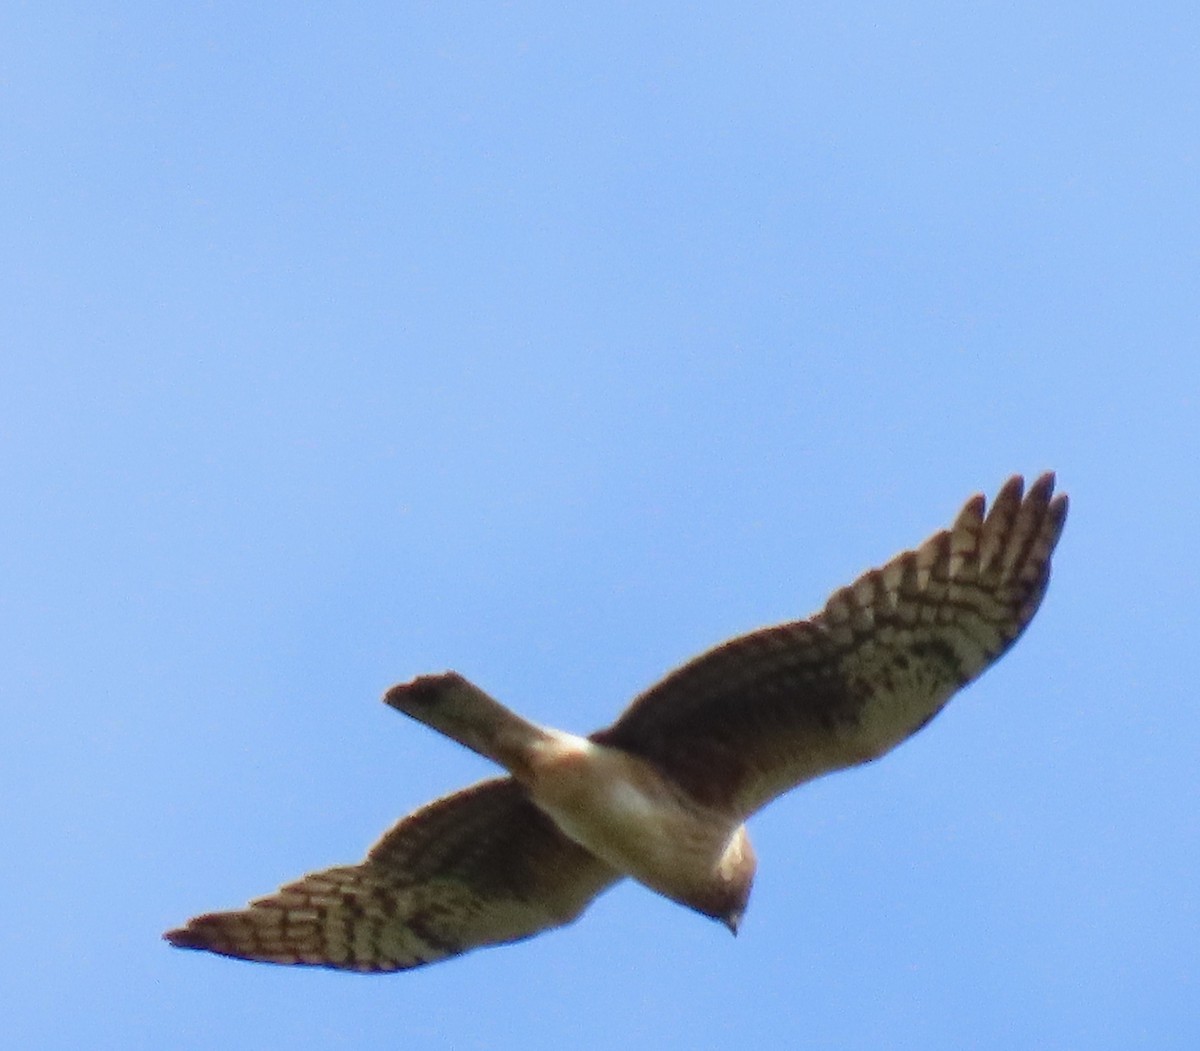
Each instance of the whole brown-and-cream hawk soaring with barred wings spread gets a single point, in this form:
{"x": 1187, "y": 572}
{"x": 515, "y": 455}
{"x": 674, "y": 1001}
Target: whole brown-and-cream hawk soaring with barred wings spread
{"x": 663, "y": 795}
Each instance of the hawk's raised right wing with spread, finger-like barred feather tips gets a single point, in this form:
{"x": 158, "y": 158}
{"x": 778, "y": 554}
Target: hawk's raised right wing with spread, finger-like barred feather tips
{"x": 763, "y": 713}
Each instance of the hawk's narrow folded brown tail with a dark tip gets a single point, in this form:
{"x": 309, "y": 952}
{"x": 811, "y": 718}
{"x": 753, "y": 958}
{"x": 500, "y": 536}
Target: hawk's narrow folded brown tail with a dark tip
{"x": 463, "y": 712}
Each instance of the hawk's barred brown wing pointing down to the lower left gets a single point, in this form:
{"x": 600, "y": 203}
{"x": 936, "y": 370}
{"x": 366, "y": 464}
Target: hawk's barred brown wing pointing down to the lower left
{"x": 477, "y": 868}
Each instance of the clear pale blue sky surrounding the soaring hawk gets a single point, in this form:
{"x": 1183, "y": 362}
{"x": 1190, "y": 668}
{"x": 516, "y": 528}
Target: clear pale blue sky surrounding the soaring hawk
{"x": 555, "y": 344}
